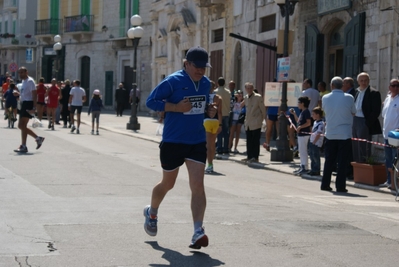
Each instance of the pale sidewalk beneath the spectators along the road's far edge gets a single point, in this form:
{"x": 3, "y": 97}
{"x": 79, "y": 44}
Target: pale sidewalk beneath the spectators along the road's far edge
{"x": 148, "y": 128}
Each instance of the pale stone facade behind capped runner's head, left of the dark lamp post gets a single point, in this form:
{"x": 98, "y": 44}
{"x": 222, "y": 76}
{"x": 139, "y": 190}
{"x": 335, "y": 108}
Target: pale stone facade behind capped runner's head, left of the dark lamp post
{"x": 181, "y": 24}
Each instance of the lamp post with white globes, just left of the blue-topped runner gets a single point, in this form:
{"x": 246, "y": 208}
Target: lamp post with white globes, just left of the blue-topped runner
{"x": 134, "y": 33}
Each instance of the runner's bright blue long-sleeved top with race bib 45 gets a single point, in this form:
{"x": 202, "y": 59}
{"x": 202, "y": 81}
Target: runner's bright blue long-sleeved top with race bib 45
{"x": 183, "y": 128}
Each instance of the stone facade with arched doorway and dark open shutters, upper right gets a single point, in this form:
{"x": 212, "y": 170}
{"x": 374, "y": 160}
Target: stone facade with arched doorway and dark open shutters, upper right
{"x": 376, "y": 47}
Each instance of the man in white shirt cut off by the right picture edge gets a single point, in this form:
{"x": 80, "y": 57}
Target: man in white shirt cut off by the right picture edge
{"x": 390, "y": 113}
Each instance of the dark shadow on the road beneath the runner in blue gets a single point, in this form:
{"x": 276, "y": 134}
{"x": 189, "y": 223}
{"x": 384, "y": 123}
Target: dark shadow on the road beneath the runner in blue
{"x": 177, "y": 259}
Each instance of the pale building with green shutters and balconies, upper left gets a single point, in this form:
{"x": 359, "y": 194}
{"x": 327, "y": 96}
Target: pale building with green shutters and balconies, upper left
{"x": 96, "y": 49}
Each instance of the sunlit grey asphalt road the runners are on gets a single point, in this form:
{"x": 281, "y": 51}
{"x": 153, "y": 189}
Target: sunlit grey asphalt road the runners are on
{"x": 78, "y": 201}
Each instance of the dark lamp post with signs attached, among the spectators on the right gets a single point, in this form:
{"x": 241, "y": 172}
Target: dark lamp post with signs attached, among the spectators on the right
{"x": 282, "y": 152}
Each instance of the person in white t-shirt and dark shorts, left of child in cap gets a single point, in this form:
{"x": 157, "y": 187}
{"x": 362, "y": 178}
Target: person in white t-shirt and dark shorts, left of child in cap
{"x": 76, "y": 100}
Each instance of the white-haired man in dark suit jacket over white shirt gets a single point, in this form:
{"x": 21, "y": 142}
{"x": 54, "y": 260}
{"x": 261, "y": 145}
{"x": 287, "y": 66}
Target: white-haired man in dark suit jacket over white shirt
{"x": 365, "y": 122}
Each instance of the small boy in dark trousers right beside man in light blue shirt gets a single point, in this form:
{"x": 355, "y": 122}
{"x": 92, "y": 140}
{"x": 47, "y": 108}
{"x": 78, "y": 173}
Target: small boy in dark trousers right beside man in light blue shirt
{"x": 316, "y": 141}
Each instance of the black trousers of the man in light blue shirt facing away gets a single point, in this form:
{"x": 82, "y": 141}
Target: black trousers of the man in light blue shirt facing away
{"x": 336, "y": 151}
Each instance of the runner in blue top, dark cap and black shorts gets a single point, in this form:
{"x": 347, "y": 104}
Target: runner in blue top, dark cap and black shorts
{"x": 183, "y": 139}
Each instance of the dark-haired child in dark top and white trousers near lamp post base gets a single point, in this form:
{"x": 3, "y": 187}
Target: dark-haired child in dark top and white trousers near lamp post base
{"x": 303, "y": 130}
